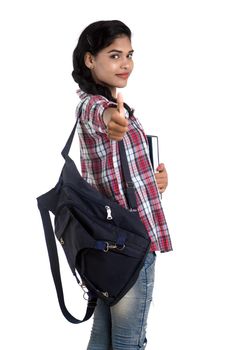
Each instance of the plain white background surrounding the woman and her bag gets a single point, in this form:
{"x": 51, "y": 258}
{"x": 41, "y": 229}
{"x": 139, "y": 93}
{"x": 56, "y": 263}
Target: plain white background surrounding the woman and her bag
{"x": 182, "y": 90}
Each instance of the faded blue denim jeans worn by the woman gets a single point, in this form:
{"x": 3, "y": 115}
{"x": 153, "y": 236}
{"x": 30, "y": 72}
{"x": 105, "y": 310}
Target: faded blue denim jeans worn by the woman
{"x": 123, "y": 326}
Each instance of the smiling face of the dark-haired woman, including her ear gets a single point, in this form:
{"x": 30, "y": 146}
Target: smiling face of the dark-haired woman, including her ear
{"x": 113, "y": 65}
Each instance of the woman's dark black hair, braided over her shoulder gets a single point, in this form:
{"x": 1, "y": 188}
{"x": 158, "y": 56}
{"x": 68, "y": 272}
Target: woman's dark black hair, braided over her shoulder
{"x": 93, "y": 39}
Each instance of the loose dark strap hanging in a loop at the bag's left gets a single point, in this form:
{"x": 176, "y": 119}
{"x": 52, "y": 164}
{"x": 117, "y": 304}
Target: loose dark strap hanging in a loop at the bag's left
{"x": 54, "y": 260}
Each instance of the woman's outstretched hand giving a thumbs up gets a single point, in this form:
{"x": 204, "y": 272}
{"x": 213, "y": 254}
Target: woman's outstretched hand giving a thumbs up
{"x": 115, "y": 120}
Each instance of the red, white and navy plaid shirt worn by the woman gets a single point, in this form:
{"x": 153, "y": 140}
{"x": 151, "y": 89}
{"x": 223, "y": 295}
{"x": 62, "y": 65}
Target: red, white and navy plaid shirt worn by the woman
{"x": 100, "y": 166}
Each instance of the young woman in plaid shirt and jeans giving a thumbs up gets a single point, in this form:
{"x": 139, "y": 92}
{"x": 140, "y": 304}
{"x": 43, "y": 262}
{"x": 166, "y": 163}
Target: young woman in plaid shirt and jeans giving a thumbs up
{"x": 103, "y": 62}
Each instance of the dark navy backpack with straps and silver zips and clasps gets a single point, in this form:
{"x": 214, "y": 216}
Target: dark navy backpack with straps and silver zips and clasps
{"x": 104, "y": 243}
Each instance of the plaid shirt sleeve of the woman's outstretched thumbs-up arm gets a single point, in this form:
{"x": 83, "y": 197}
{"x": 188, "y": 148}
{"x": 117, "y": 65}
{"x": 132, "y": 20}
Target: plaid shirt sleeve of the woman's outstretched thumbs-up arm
{"x": 92, "y": 113}
